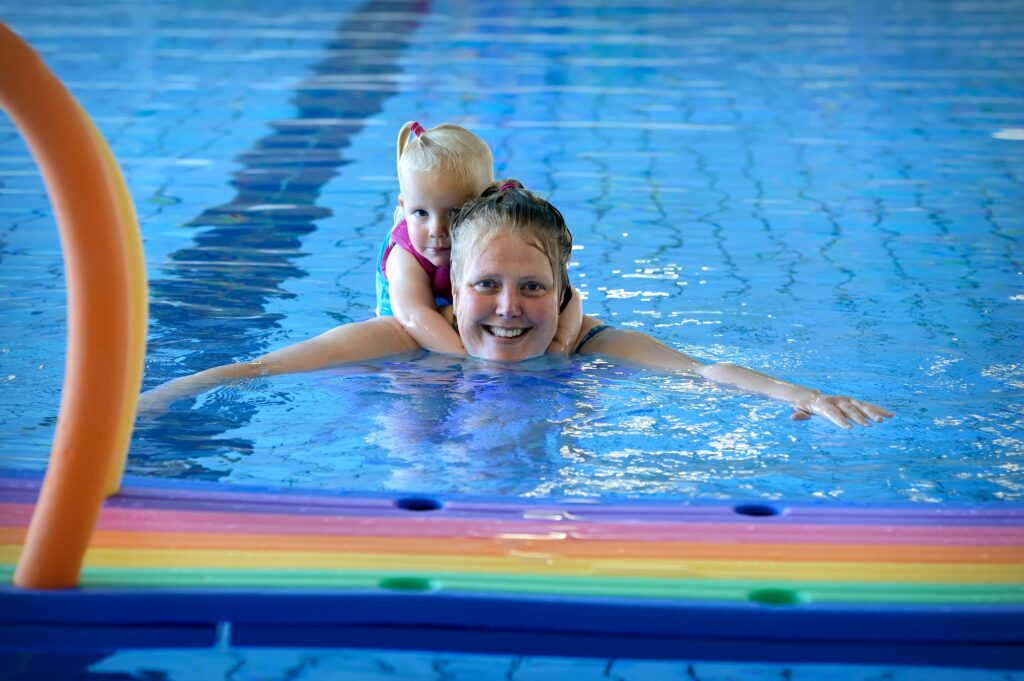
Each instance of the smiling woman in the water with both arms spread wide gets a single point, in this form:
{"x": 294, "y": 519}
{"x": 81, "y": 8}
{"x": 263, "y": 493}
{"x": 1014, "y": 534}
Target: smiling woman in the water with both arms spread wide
{"x": 510, "y": 253}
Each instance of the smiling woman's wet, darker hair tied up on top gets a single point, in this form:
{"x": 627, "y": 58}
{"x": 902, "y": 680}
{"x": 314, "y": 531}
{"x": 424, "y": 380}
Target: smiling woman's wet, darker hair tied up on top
{"x": 506, "y": 207}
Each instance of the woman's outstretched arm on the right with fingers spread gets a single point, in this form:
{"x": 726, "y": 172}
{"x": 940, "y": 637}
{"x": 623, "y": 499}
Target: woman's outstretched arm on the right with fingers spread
{"x": 643, "y": 350}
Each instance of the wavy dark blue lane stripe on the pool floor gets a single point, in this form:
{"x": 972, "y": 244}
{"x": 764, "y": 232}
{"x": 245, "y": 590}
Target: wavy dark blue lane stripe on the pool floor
{"x": 214, "y": 295}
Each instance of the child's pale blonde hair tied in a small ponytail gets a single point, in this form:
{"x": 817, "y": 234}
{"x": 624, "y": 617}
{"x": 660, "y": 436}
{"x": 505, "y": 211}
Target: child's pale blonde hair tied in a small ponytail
{"x": 447, "y": 149}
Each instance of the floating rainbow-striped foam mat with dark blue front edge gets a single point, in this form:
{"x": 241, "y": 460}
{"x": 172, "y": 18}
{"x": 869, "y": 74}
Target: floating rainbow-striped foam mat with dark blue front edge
{"x": 193, "y": 565}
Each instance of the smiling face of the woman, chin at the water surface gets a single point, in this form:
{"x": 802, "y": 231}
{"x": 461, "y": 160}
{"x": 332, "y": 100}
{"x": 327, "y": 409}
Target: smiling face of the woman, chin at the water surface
{"x": 507, "y": 302}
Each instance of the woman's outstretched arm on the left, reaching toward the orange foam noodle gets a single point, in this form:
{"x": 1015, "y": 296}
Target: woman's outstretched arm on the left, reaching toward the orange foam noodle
{"x": 351, "y": 343}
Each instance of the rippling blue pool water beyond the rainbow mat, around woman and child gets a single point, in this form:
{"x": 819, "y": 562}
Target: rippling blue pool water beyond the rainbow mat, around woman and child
{"x": 835, "y": 201}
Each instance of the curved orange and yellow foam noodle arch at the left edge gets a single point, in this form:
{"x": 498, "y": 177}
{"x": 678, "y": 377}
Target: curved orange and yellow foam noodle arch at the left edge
{"x": 107, "y": 314}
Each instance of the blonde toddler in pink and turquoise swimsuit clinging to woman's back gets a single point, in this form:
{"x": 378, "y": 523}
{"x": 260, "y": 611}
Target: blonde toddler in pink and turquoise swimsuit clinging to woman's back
{"x": 440, "y": 171}
